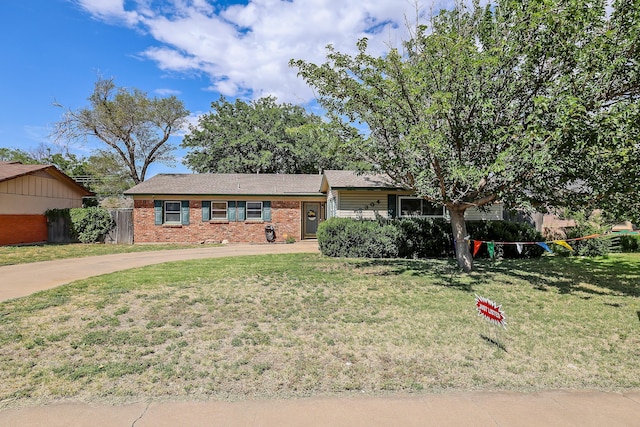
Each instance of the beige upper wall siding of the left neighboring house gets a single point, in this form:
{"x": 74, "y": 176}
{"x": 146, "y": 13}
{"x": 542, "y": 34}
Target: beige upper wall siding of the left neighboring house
{"x": 35, "y": 194}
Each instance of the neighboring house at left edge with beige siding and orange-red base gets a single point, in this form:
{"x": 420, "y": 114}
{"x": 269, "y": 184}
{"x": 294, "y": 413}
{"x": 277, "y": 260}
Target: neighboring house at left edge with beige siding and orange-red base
{"x": 26, "y": 193}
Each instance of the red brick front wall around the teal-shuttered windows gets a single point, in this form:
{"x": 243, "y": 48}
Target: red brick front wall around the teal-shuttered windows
{"x": 285, "y": 217}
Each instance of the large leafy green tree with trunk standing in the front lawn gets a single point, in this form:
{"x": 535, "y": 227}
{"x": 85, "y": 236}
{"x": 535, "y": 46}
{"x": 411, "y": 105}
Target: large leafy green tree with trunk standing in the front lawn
{"x": 521, "y": 101}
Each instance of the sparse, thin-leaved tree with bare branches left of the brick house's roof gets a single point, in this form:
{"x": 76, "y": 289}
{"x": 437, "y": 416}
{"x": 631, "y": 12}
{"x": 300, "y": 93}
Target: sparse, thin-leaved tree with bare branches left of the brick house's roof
{"x": 133, "y": 126}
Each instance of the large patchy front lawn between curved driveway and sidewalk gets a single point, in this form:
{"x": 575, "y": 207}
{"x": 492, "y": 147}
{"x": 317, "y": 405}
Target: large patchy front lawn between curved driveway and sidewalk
{"x": 305, "y": 325}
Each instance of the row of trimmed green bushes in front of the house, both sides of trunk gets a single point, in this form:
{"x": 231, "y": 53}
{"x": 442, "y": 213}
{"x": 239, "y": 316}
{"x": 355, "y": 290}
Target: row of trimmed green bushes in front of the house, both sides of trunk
{"x": 418, "y": 238}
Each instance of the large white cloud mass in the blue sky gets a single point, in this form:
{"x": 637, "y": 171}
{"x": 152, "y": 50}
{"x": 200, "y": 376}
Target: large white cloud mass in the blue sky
{"x": 246, "y": 48}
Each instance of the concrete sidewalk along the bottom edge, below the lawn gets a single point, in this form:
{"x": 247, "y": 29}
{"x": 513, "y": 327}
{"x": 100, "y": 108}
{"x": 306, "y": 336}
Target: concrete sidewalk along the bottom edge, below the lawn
{"x": 553, "y": 408}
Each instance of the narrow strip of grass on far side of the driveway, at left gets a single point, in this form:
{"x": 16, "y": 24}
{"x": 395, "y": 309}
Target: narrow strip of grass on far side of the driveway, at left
{"x": 10, "y": 255}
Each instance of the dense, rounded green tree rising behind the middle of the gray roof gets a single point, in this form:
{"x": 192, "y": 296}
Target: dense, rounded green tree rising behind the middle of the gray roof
{"x": 259, "y": 137}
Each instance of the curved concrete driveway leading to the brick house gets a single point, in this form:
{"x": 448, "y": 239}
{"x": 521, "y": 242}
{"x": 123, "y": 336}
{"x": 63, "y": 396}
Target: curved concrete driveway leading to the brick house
{"x": 25, "y": 279}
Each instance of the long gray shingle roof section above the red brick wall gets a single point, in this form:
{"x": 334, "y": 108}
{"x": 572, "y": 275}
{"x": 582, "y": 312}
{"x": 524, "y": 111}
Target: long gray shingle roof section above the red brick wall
{"x": 230, "y": 184}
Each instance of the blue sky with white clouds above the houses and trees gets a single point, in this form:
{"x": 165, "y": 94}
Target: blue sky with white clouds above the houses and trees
{"x": 194, "y": 49}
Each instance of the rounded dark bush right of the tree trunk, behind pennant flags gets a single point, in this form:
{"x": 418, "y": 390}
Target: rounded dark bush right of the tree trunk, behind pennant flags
{"x": 506, "y": 231}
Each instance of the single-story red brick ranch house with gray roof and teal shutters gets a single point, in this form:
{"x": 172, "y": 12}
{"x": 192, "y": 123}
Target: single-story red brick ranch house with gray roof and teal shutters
{"x": 238, "y": 207}
